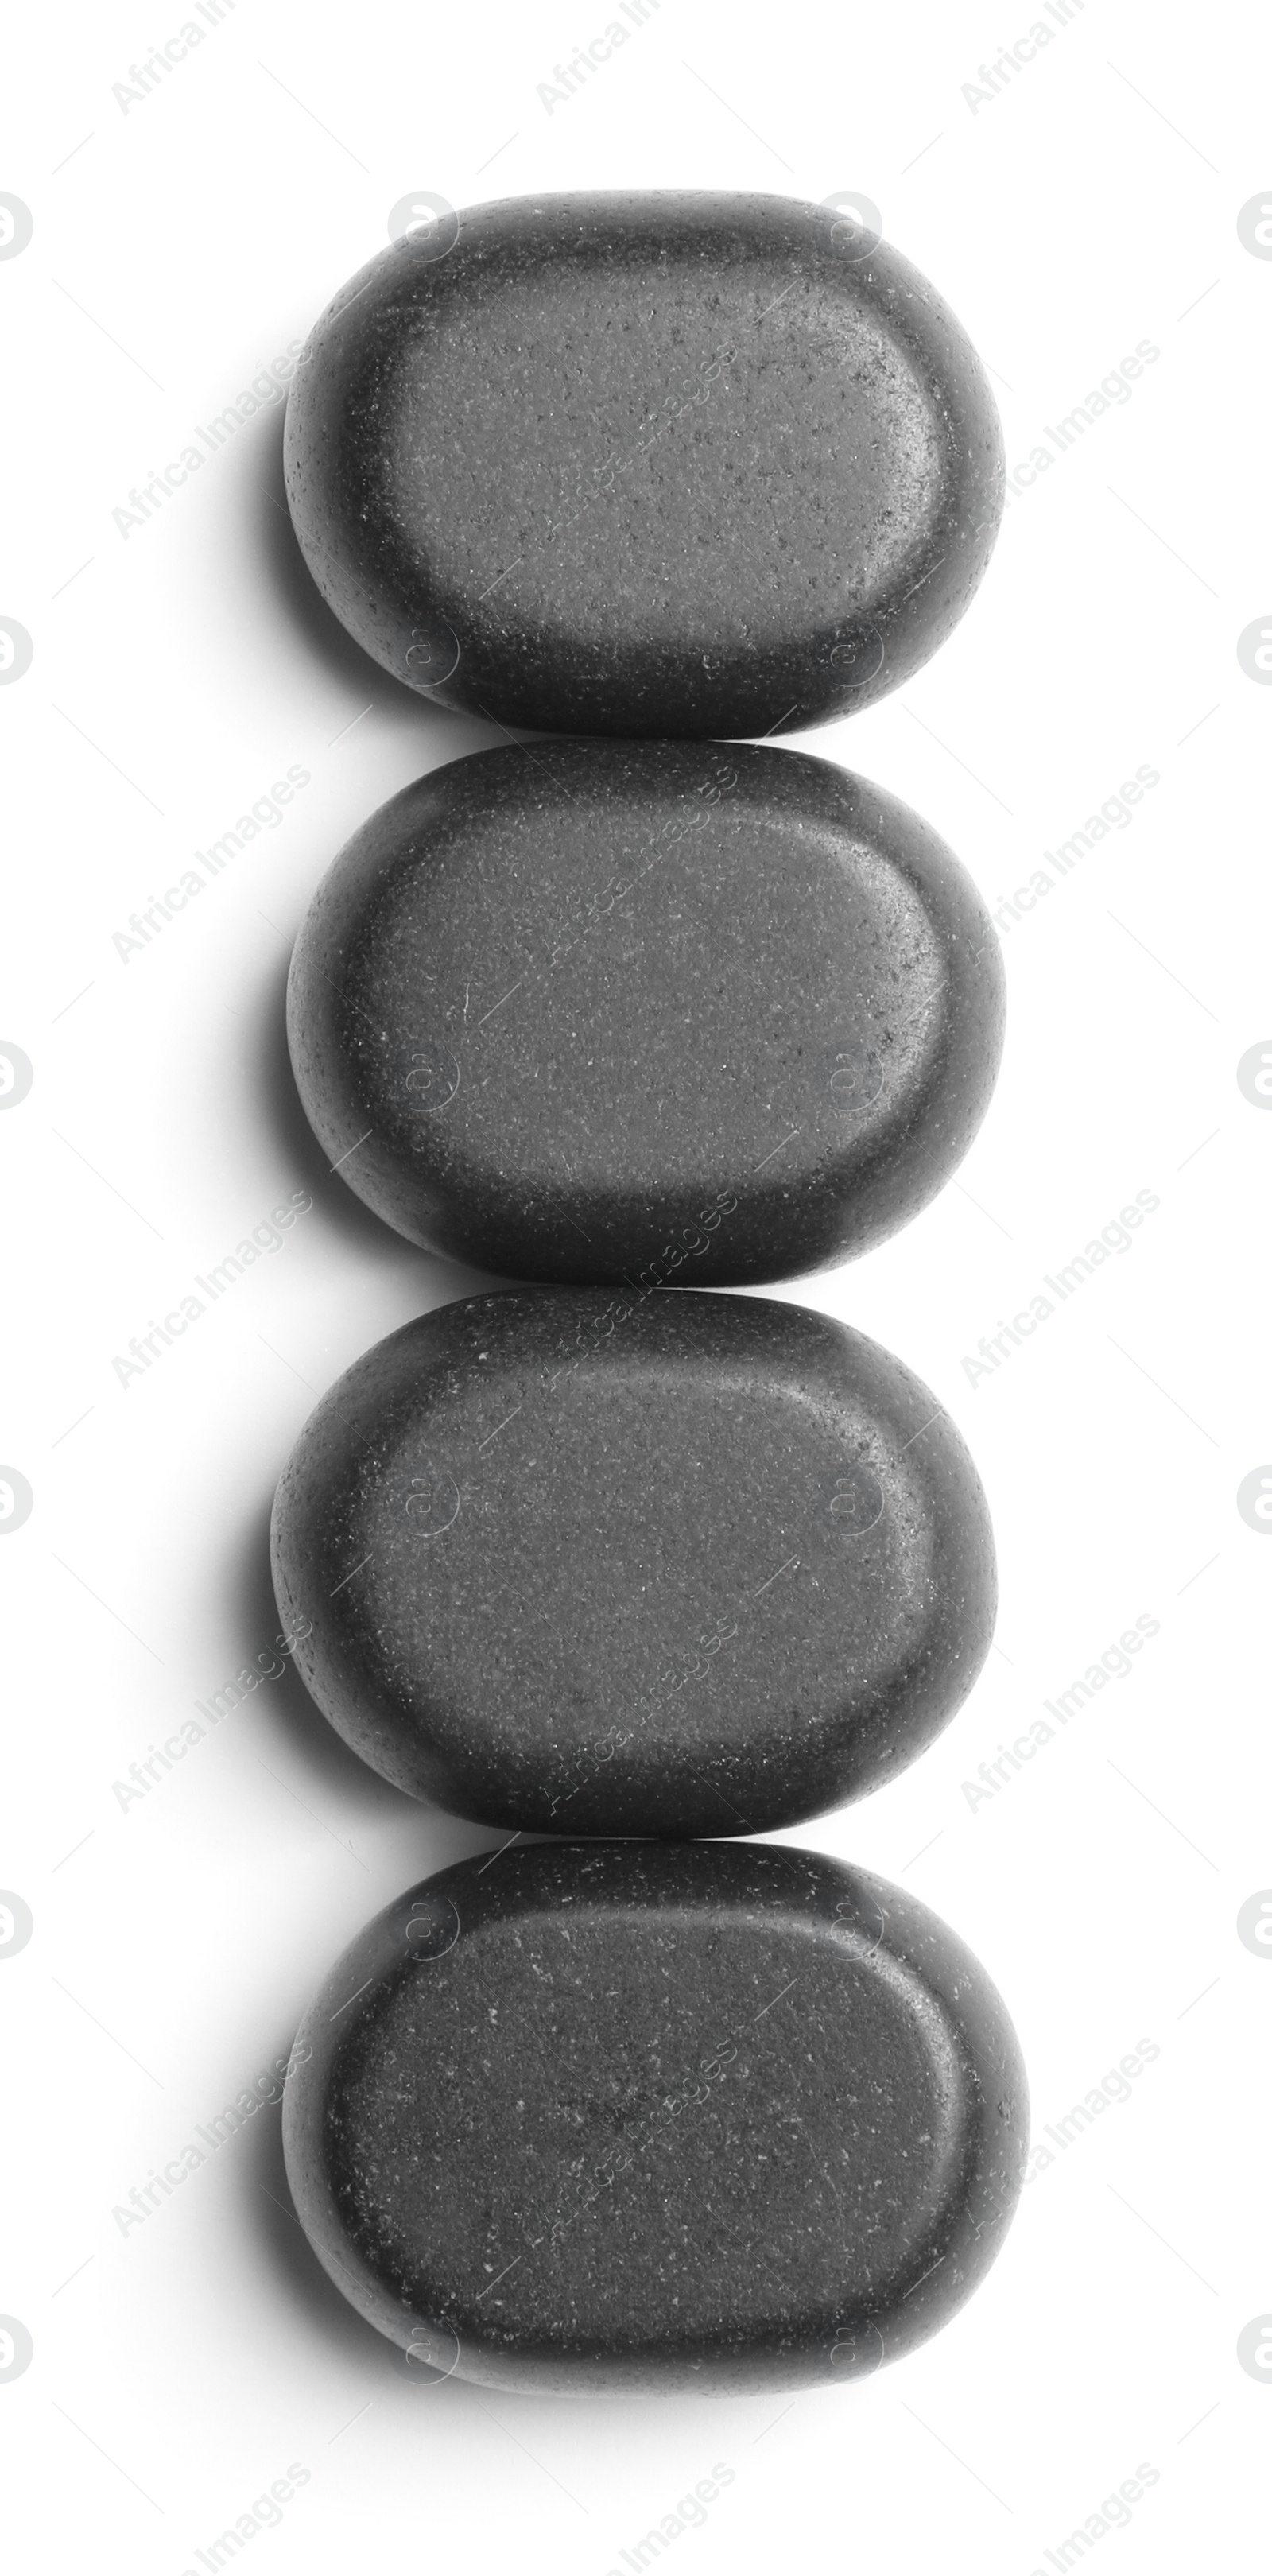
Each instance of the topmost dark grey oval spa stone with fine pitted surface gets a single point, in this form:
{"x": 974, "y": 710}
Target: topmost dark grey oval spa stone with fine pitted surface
{"x": 645, "y": 462}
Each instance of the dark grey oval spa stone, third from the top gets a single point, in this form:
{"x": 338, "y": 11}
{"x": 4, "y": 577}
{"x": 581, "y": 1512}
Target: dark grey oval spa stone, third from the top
{"x": 635, "y": 1565}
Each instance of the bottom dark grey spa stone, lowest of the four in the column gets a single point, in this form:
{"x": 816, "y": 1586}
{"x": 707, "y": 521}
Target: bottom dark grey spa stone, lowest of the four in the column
{"x": 655, "y": 2119}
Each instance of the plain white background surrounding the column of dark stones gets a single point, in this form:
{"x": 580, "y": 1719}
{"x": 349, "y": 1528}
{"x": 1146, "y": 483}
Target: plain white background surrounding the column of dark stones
{"x": 179, "y": 668}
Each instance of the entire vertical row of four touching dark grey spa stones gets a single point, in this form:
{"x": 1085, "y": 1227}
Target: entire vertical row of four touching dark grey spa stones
{"x": 619, "y": 1567}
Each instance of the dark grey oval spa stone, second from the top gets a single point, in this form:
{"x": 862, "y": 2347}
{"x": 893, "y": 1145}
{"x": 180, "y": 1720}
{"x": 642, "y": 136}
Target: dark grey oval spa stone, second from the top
{"x": 645, "y": 1009}
